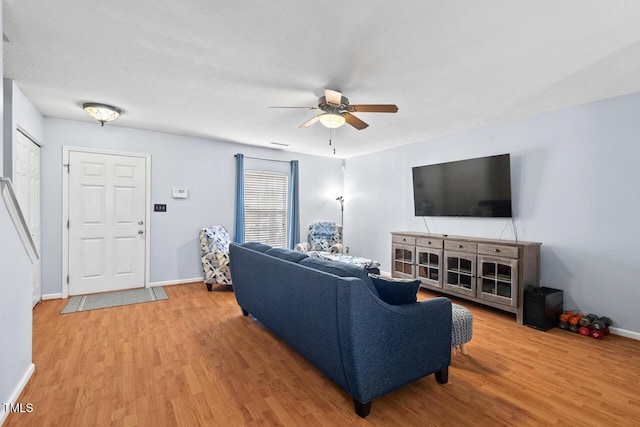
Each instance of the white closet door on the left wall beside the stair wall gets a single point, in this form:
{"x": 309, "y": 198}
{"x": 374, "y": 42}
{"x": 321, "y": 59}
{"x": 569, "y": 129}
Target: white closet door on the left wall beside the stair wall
{"x": 27, "y": 185}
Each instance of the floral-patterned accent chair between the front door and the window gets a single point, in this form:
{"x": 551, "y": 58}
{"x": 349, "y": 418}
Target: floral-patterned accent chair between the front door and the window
{"x": 214, "y": 245}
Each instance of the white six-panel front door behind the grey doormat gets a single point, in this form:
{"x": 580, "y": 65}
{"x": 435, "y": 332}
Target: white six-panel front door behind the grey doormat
{"x": 107, "y": 230}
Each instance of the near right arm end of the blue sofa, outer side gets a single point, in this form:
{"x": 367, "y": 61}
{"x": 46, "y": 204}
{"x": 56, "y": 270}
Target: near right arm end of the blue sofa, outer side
{"x": 419, "y": 335}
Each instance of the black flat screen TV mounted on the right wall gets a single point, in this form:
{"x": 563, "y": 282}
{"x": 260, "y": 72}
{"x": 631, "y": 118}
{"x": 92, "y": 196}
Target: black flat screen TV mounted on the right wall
{"x": 473, "y": 188}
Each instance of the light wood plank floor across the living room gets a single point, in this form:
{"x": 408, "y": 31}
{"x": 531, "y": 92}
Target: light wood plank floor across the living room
{"x": 195, "y": 360}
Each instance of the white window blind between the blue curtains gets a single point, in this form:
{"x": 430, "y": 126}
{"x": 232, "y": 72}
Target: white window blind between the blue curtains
{"x": 265, "y": 208}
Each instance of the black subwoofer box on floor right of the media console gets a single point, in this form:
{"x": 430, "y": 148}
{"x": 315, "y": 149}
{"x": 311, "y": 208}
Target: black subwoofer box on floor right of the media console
{"x": 542, "y": 307}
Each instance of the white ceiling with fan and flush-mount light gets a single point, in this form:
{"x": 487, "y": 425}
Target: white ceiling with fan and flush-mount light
{"x": 212, "y": 68}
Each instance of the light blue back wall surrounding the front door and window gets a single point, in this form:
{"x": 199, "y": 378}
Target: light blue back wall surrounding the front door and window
{"x": 204, "y": 167}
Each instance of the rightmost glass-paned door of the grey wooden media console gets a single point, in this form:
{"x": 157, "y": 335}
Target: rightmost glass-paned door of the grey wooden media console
{"x": 498, "y": 280}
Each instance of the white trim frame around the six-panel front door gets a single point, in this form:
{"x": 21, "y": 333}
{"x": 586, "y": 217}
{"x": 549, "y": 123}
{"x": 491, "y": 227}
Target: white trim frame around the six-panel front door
{"x": 65, "y": 210}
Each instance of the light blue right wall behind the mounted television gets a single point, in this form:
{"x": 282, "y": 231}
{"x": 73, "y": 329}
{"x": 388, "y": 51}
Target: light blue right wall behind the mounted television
{"x": 575, "y": 181}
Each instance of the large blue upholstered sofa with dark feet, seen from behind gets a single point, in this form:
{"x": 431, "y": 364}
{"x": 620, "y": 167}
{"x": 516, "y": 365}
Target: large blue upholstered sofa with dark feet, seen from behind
{"x": 332, "y": 314}
